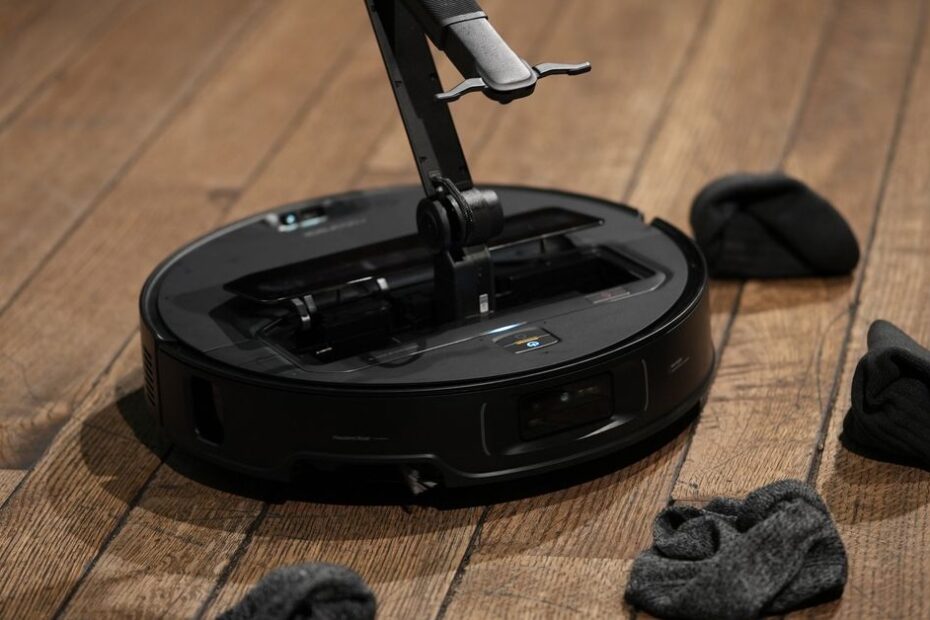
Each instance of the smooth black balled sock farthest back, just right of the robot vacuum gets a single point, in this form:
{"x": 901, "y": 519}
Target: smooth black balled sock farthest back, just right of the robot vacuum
{"x": 770, "y": 226}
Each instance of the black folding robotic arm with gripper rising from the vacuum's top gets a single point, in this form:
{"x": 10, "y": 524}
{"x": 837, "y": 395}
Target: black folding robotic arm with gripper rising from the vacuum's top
{"x": 455, "y": 219}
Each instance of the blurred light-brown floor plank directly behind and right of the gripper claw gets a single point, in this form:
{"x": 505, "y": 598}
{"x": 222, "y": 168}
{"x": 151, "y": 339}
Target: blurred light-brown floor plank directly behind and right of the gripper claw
{"x": 587, "y": 134}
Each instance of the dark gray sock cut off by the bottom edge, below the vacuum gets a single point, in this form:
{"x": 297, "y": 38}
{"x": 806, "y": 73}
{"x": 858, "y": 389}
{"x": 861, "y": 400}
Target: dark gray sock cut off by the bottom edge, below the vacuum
{"x": 306, "y": 592}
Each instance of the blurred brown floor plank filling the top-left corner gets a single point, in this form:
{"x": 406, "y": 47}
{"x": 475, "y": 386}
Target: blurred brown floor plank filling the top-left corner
{"x": 26, "y": 58}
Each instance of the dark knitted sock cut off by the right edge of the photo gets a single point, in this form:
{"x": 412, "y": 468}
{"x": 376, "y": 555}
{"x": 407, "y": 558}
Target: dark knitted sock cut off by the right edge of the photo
{"x": 889, "y": 416}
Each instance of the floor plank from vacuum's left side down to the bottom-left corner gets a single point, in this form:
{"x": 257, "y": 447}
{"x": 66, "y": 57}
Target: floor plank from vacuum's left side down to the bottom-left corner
{"x": 52, "y": 525}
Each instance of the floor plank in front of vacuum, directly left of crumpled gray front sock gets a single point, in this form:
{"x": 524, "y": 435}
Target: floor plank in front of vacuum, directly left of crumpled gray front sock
{"x": 565, "y": 553}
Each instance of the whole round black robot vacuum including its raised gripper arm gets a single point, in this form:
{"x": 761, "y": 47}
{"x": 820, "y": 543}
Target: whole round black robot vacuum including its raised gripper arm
{"x": 459, "y": 334}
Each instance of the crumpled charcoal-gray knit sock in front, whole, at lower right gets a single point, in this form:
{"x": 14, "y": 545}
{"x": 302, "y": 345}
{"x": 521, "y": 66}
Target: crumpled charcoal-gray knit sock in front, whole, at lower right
{"x": 776, "y": 551}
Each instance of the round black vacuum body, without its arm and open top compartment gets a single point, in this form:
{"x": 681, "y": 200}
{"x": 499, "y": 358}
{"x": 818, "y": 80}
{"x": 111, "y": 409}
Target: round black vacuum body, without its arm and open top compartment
{"x": 459, "y": 400}
